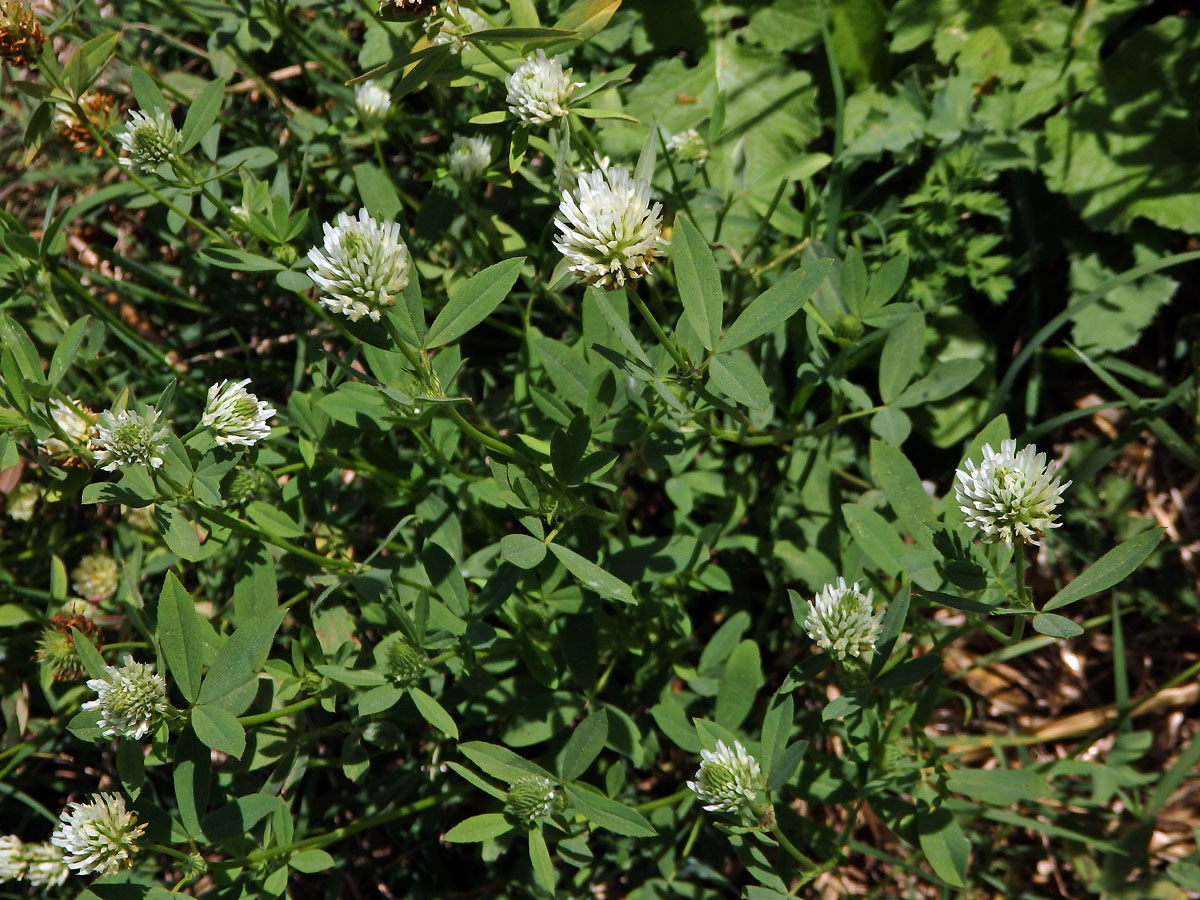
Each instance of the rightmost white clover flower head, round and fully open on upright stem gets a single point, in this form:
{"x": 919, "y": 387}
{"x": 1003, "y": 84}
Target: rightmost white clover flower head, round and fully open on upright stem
{"x": 1011, "y": 495}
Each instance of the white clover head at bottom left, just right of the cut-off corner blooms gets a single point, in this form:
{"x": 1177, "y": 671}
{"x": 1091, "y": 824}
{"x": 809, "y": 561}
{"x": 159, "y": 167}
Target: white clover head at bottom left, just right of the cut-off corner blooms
{"x": 99, "y": 837}
